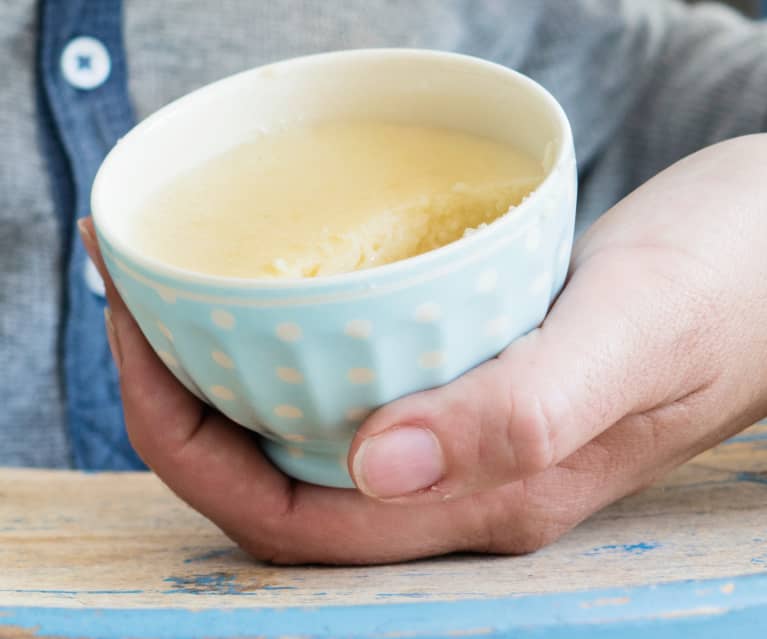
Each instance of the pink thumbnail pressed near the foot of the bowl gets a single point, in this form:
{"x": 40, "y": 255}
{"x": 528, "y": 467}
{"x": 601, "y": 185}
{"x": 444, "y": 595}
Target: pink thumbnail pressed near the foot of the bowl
{"x": 398, "y": 462}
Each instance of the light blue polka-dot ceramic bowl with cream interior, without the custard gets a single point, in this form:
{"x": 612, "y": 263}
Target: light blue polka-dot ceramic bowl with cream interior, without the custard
{"x": 303, "y": 362}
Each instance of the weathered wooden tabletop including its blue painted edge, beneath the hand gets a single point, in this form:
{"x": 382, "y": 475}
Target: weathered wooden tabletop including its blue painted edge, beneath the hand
{"x": 116, "y": 555}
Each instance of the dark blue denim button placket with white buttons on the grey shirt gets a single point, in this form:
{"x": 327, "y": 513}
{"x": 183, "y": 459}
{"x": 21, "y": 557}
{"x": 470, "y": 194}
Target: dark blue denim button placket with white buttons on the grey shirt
{"x": 84, "y": 108}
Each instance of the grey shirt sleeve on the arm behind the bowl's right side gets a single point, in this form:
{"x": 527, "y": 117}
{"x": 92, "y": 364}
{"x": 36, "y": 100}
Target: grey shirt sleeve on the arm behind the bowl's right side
{"x": 644, "y": 82}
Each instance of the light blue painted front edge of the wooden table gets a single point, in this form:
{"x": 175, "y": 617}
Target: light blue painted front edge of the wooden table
{"x": 712, "y": 608}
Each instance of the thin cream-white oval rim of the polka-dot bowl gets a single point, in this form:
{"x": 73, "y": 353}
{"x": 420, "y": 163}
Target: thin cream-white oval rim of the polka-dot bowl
{"x": 477, "y": 241}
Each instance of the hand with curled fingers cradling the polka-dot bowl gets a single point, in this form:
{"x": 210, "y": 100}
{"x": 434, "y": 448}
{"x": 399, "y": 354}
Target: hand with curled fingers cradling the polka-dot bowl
{"x": 655, "y": 351}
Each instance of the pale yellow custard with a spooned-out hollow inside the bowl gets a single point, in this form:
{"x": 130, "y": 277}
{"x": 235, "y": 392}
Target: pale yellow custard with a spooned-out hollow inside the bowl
{"x": 332, "y": 198}
